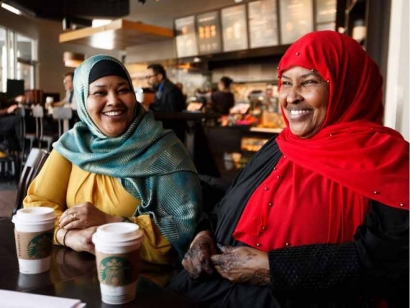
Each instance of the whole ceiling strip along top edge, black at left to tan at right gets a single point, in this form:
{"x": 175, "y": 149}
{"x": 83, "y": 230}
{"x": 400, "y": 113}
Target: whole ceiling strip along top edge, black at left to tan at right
{"x": 155, "y": 12}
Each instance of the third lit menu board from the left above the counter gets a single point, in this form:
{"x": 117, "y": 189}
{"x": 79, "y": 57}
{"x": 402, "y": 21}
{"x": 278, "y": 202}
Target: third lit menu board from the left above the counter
{"x": 235, "y": 33}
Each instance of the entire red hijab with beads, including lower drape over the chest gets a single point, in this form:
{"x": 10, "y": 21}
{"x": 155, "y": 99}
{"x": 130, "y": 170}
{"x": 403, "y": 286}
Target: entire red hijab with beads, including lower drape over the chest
{"x": 319, "y": 191}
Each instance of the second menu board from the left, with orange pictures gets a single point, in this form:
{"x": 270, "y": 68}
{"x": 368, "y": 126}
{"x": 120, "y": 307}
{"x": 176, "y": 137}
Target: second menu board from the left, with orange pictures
{"x": 209, "y": 33}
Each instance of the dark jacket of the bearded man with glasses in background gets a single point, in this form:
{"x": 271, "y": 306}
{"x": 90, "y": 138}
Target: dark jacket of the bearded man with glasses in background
{"x": 168, "y": 98}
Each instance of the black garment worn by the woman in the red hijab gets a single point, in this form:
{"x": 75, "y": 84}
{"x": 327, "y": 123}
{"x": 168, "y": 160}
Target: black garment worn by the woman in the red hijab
{"x": 372, "y": 266}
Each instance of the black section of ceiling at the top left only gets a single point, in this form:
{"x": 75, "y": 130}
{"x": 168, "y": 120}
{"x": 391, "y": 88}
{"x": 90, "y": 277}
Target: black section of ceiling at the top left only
{"x": 73, "y": 9}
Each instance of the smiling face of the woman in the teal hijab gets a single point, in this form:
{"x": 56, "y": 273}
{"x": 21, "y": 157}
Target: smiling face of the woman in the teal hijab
{"x": 110, "y": 104}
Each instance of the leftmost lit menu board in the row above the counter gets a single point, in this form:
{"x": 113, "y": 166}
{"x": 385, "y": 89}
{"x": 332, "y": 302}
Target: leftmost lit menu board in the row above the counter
{"x": 186, "y": 37}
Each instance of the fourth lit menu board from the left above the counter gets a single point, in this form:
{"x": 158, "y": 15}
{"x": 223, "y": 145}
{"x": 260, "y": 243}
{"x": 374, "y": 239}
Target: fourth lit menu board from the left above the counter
{"x": 263, "y": 27}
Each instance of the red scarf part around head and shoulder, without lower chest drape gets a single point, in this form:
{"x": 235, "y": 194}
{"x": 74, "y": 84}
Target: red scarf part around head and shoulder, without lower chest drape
{"x": 352, "y": 148}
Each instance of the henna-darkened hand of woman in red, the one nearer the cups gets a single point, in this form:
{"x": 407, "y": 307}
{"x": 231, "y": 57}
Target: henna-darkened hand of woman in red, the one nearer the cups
{"x": 198, "y": 258}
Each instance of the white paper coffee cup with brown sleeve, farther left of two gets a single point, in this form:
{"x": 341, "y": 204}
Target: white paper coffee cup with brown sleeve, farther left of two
{"x": 34, "y": 230}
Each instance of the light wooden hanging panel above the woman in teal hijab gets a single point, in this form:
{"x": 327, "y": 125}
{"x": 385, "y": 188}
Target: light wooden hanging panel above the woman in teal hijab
{"x": 119, "y": 34}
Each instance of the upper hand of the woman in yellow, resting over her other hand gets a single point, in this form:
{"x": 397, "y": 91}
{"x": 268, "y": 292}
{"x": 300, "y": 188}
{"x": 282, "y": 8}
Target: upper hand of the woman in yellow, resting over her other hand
{"x": 85, "y": 215}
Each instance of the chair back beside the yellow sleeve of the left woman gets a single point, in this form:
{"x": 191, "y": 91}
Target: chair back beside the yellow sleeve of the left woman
{"x": 32, "y": 167}
